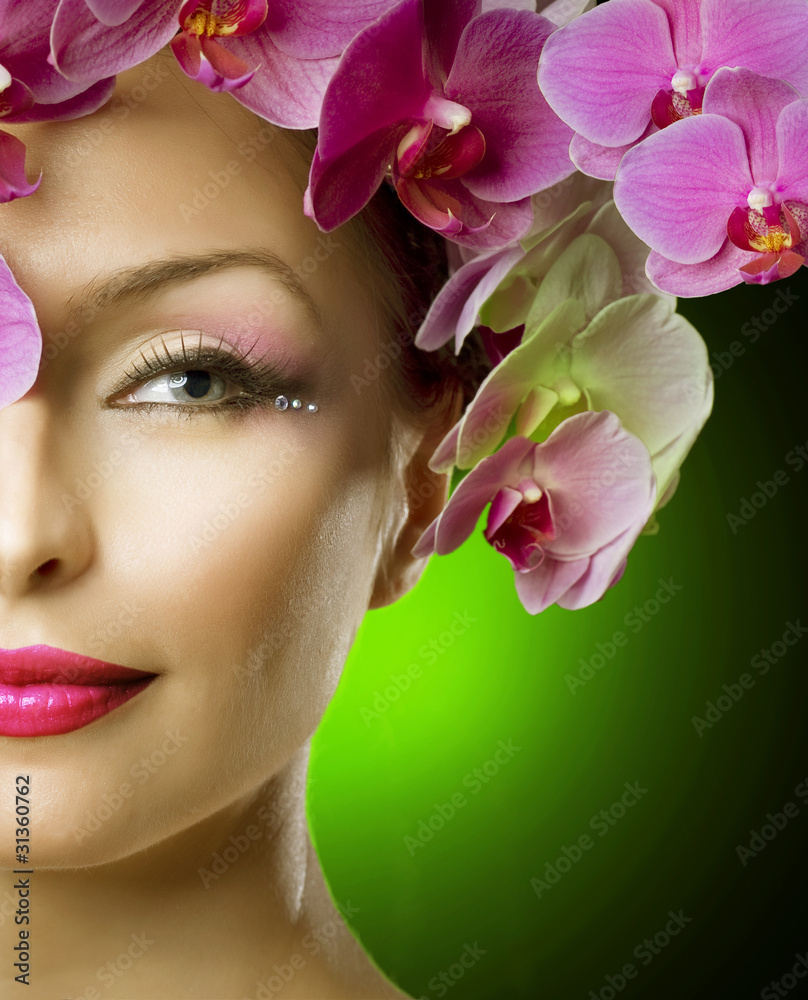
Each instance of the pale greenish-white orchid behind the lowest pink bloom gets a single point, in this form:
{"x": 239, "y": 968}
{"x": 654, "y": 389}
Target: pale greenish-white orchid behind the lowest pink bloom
{"x": 587, "y": 347}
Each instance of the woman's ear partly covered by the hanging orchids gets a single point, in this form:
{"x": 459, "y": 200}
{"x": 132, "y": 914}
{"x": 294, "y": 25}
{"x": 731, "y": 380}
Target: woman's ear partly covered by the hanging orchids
{"x": 422, "y": 494}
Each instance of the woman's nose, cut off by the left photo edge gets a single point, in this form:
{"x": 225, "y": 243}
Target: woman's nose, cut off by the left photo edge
{"x": 44, "y": 542}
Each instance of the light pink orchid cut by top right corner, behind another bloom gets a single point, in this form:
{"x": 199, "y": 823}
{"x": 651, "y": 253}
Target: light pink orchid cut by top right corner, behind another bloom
{"x": 628, "y": 68}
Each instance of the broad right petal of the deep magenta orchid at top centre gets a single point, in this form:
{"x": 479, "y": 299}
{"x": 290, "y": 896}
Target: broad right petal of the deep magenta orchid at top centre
{"x": 494, "y": 75}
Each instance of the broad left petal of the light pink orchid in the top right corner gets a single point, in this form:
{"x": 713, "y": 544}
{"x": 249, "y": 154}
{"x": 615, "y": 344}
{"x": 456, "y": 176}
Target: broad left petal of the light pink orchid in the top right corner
{"x": 615, "y": 78}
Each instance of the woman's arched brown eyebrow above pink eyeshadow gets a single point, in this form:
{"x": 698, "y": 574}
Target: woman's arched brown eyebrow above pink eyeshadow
{"x": 137, "y": 284}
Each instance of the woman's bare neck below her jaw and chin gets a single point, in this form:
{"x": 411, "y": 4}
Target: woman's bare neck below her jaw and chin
{"x": 234, "y": 907}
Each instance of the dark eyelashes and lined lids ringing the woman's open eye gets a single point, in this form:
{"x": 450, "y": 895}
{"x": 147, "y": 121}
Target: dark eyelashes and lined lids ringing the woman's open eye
{"x": 260, "y": 381}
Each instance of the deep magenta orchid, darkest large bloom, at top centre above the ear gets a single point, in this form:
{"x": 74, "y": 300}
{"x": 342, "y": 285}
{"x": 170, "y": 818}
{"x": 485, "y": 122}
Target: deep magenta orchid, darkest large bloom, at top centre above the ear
{"x": 444, "y": 101}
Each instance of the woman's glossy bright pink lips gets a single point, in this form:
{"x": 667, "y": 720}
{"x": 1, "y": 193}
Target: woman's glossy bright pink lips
{"x": 46, "y": 691}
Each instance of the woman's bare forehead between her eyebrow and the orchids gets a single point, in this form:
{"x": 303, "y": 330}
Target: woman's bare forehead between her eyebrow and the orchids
{"x": 164, "y": 168}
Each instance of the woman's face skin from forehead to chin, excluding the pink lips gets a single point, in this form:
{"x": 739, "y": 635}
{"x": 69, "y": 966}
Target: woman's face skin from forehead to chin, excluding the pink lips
{"x": 231, "y": 549}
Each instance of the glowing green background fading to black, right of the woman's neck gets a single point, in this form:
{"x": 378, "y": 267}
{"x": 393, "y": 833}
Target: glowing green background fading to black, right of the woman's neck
{"x": 375, "y": 777}
